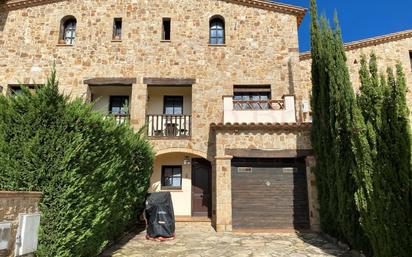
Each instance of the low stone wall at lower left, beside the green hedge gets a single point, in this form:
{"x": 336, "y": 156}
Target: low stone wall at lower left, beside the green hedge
{"x": 13, "y": 203}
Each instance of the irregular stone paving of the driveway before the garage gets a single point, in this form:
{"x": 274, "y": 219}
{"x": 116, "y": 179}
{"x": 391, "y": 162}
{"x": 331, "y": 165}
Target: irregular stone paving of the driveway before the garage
{"x": 202, "y": 241}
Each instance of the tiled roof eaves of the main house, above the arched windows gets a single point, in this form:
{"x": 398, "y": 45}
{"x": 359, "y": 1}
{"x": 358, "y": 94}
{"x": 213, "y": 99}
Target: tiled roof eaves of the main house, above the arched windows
{"x": 297, "y": 11}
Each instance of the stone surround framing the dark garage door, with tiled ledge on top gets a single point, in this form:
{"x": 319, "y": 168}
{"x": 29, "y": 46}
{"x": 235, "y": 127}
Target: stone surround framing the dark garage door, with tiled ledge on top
{"x": 248, "y": 139}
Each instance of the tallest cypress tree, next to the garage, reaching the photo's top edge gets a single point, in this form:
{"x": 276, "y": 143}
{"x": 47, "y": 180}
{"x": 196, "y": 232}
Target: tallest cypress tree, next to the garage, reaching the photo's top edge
{"x": 337, "y": 134}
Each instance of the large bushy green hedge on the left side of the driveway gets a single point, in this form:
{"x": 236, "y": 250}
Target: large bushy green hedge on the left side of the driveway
{"x": 93, "y": 172}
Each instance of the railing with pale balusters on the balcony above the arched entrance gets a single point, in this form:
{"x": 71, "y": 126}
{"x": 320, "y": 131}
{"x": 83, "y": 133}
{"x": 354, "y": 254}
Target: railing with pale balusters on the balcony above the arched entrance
{"x": 163, "y": 125}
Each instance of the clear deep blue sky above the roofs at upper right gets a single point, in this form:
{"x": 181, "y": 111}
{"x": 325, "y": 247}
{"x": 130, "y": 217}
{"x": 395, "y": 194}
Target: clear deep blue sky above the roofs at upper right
{"x": 359, "y": 19}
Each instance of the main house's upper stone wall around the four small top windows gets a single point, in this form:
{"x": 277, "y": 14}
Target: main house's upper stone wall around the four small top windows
{"x": 261, "y": 48}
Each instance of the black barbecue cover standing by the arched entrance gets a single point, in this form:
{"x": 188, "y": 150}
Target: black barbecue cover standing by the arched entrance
{"x": 159, "y": 215}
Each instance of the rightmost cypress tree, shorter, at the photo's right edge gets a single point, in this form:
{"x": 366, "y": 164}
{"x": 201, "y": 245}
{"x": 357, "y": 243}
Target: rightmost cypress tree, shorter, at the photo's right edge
{"x": 393, "y": 173}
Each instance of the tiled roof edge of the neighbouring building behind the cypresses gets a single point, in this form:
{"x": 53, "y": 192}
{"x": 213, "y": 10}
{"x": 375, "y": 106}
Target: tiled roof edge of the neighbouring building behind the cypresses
{"x": 373, "y": 41}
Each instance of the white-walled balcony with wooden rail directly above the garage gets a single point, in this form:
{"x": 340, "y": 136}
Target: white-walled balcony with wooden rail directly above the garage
{"x": 259, "y": 111}
